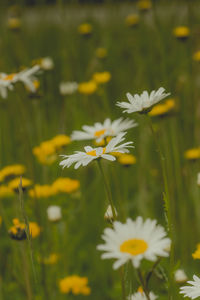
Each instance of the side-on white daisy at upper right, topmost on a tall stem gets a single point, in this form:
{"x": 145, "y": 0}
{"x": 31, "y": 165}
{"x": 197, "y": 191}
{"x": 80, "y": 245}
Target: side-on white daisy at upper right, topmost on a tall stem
{"x": 143, "y": 102}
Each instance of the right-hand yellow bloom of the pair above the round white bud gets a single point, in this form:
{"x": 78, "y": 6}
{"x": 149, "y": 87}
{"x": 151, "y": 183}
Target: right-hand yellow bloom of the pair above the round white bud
{"x": 65, "y": 185}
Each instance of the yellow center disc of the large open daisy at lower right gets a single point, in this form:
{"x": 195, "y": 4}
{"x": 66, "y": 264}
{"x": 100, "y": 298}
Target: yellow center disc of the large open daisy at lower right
{"x": 134, "y": 246}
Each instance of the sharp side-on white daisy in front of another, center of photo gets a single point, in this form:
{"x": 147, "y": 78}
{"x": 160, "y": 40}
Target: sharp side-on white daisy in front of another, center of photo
{"x": 84, "y": 158}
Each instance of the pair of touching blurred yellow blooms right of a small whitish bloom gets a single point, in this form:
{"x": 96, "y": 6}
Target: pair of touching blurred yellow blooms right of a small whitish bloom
{"x": 90, "y": 87}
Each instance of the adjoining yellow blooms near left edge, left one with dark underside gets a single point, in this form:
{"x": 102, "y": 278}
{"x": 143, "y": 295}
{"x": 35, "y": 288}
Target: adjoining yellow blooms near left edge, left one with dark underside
{"x": 18, "y": 232}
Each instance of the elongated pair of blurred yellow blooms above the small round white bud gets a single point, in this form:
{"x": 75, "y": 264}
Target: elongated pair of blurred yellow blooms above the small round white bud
{"x": 60, "y": 185}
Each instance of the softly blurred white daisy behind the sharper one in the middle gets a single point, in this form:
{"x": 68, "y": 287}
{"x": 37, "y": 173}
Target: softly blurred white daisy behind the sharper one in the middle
{"x": 101, "y": 130}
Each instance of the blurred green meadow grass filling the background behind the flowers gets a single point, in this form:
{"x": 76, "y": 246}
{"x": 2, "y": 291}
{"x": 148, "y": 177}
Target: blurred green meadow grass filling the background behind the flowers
{"x": 141, "y": 58}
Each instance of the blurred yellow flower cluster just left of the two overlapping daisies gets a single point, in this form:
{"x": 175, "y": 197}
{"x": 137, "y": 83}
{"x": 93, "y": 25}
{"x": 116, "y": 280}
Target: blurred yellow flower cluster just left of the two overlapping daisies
{"x": 46, "y": 152}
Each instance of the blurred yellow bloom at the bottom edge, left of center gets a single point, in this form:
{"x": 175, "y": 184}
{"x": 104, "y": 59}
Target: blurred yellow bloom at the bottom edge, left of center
{"x": 75, "y": 284}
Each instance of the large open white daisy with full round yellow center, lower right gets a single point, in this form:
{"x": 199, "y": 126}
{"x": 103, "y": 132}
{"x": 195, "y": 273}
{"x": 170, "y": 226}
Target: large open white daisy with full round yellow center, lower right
{"x": 134, "y": 241}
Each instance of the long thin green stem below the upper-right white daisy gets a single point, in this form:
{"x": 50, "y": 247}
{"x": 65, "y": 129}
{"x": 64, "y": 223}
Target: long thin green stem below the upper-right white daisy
{"x": 166, "y": 201}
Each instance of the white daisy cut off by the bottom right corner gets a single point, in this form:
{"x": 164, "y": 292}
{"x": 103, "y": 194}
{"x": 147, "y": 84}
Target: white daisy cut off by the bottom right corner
{"x": 192, "y": 291}
